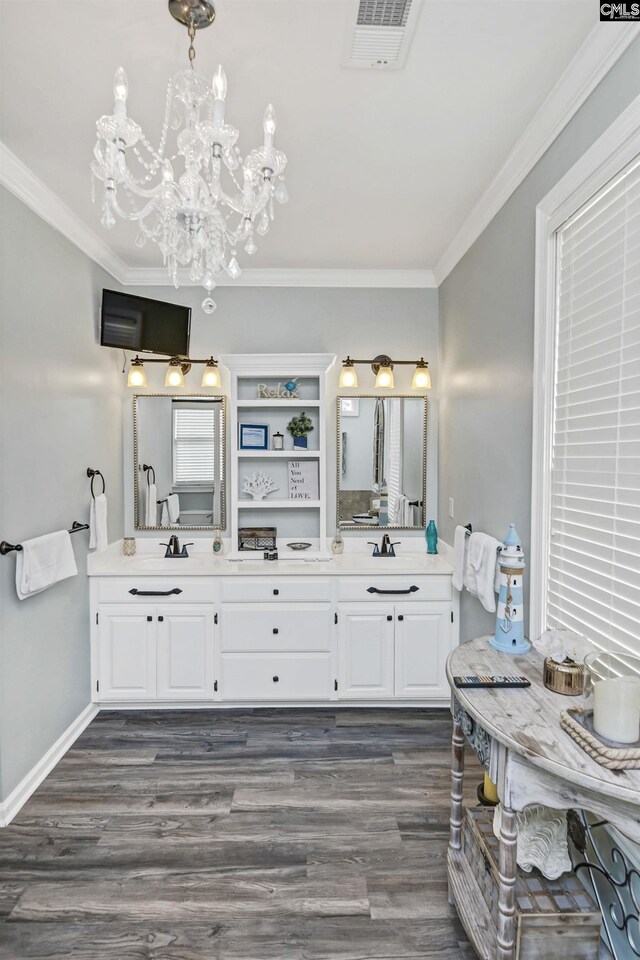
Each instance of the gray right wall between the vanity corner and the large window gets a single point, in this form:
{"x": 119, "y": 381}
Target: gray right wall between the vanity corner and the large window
{"x": 486, "y": 325}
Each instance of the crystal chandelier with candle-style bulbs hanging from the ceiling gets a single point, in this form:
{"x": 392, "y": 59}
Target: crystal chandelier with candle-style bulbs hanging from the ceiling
{"x": 196, "y": 222}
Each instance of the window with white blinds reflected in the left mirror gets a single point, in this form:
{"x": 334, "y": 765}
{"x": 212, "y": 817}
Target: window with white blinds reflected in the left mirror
{"x": 193, "y": 446}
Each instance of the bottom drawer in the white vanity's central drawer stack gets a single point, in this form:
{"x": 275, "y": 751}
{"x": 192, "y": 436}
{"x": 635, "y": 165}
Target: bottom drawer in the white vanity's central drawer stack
{"x": 276, "y": 676}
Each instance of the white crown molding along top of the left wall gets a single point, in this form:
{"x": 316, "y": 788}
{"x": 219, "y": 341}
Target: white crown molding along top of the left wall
{"x": 23, "y": 183}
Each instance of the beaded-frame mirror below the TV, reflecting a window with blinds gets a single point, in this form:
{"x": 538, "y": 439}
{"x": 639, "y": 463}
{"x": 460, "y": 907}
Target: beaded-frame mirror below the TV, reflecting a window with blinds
{"x": 179, "y": 461}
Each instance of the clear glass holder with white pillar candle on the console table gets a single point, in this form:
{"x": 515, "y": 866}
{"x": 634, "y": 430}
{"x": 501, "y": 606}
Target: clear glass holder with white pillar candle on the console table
{"x": 614, "y": 679}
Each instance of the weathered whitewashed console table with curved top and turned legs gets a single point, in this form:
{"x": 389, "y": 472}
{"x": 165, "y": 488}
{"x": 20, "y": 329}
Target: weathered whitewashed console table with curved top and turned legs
{"x": 517, "y": 736}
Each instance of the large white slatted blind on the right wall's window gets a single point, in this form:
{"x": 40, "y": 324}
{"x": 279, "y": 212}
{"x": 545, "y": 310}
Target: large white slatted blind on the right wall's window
{"x": 594, "y": 545}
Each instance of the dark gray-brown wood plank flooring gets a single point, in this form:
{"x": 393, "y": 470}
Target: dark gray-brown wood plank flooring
{"x": 238, "y": 835}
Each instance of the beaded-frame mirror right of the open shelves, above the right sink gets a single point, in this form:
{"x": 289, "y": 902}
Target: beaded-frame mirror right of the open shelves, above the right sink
{"x": 382, "y": 441}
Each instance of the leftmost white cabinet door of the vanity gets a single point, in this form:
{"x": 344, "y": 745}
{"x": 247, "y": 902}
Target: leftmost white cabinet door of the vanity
{"x": 126, "y": 652}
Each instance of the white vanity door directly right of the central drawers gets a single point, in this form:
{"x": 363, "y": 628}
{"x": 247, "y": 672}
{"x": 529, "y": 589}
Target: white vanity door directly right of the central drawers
{"x": 365, "y": 654}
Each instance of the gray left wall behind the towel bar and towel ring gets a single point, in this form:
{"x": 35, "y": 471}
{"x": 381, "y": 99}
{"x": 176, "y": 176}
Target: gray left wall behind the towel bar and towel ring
{"x": 59, "y": 413}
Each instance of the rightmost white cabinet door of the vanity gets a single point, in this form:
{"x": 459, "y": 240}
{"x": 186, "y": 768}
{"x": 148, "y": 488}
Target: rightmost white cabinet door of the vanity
{"x": 423, "y": 642}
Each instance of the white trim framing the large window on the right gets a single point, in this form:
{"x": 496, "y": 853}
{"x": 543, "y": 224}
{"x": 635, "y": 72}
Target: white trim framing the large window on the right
{"x": 617, "y": 147}
